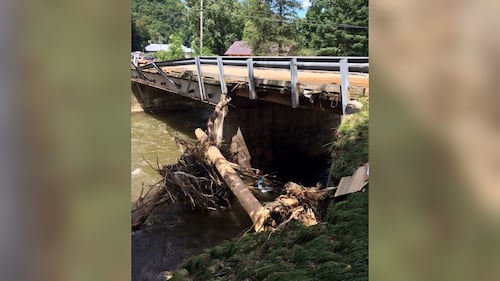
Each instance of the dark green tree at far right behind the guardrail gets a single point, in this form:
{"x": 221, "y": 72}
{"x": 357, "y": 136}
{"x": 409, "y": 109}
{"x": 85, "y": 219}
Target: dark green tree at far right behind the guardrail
{"x": 337, "y": 27}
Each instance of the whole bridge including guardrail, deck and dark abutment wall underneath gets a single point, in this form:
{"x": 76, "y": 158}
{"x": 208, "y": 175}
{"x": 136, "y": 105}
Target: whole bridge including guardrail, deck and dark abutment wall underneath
{"x": 283, "y": 110}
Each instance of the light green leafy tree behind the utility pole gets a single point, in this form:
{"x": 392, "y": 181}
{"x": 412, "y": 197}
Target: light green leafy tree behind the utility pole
{"x": 222, "y": 24}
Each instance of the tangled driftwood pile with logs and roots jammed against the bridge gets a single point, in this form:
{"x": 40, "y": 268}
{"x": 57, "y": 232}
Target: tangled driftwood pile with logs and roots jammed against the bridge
{"x": 204, "y": 179}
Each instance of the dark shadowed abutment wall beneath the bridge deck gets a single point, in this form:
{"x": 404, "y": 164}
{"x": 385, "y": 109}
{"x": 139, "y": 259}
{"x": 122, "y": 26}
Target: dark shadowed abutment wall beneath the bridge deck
{"x": 291, "y": 142}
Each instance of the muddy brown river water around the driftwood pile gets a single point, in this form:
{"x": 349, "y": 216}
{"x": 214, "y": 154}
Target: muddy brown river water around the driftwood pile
{"x": 174, "y": 235}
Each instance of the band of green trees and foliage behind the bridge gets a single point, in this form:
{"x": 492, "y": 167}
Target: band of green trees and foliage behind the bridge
{"x": 271, "y": 27}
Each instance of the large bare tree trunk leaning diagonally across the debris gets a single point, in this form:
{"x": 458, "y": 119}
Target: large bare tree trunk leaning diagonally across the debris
{"x": 252, "y": 206}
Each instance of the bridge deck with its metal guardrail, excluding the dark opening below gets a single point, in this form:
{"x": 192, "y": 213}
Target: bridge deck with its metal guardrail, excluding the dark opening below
{"x": 318, "y": 83}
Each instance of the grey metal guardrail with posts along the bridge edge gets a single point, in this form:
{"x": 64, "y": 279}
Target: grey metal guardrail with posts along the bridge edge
{"x": 344, "y": 65}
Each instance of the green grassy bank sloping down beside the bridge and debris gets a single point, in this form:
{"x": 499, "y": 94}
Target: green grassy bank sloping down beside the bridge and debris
{"x": 335, "y": 249}
